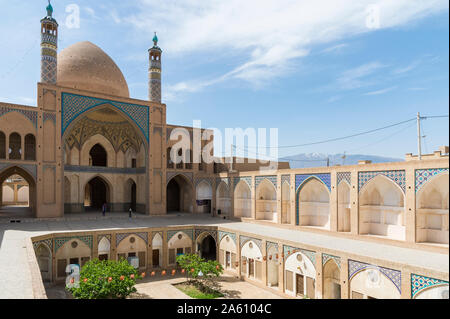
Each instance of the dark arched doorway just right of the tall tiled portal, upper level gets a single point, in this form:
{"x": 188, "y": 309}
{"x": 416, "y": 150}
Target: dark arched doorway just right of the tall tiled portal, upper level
{"x": 179, "y": 195}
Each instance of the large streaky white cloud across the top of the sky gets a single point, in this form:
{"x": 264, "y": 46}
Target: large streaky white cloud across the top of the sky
{"x": 269, "y": 35}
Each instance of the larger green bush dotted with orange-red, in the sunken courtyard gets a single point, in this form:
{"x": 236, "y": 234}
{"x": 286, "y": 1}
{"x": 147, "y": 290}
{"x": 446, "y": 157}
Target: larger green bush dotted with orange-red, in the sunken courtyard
{"x": 107, "y": 279}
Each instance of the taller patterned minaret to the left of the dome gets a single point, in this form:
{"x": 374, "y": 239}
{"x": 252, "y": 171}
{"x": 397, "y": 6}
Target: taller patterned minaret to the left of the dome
{"x": 49, "y": 46}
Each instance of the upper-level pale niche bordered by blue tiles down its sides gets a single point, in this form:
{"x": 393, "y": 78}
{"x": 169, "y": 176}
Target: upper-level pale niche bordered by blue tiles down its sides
{"x": 314, "y": 204}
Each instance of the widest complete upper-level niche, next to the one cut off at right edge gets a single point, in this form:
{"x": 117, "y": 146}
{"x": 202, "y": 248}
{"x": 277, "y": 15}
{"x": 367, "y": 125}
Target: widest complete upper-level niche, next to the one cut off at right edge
{"x": 381, "y": 209}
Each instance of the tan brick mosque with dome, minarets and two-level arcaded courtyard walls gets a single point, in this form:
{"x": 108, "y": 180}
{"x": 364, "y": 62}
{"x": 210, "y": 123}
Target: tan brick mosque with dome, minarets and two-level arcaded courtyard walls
{"x": 88, "y": 143}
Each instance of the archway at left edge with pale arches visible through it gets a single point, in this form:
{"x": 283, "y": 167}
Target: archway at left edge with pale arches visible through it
{"x": 17, "y": 193}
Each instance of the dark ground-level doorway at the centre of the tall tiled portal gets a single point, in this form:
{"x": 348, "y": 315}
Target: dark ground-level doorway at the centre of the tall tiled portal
{"x": 96, "y": 193}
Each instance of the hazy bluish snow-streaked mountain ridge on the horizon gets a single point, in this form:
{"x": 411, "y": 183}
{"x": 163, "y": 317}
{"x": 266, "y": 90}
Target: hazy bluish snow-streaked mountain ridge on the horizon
{"x": 317, "y": 159}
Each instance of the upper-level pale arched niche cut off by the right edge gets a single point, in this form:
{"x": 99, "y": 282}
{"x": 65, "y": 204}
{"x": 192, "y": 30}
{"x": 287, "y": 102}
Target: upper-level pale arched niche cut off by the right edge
{"x": 432, "y": 210}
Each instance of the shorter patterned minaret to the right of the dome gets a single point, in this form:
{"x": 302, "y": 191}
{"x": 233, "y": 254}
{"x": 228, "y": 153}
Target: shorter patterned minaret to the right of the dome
{"x": 154, "y": 72}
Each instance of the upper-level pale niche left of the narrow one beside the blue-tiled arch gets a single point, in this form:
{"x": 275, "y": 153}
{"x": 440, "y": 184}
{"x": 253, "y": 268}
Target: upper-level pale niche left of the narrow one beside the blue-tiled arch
{"x": 266, "y": 202}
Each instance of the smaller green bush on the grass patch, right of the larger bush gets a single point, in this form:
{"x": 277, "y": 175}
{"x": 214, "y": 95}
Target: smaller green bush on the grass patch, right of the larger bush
{"x": 203, "y": 273}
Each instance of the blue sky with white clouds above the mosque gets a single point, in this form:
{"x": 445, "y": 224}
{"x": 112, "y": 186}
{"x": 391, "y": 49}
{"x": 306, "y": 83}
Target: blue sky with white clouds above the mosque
{"x": 313, "y": 69}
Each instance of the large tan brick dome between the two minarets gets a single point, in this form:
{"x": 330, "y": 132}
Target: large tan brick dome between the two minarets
{"x": 85, "y": 66}
